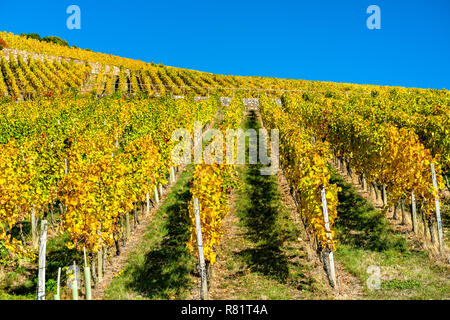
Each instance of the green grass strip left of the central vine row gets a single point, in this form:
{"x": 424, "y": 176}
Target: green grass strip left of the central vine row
{"x": 160, "y": 267}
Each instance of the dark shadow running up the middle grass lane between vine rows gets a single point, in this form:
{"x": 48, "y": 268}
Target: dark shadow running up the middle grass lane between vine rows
{"x": 259, "y": 212}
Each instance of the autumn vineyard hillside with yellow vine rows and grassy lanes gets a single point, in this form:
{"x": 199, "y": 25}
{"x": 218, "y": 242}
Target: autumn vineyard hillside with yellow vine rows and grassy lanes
{"x": 94, "y": 204}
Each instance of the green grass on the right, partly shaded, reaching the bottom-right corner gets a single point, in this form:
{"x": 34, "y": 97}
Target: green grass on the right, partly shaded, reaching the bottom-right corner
{"x": 365, "y": 238}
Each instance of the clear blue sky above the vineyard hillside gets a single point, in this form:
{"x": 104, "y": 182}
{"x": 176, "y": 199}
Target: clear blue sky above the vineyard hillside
{"x": 313, "y": 40}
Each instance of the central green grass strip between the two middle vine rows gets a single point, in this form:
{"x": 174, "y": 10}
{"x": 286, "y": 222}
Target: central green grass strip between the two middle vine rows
{"x": 268, "y": 261}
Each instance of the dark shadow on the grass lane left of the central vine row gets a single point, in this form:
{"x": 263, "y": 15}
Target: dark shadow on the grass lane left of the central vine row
{"x": 166, "y": 267}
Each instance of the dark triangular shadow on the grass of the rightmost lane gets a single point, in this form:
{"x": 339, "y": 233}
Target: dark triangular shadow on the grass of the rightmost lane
{"x": 360, "y": 225}
